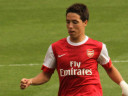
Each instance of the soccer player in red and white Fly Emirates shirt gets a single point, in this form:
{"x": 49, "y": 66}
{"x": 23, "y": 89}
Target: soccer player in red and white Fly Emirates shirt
{"x": 76, "y": 60}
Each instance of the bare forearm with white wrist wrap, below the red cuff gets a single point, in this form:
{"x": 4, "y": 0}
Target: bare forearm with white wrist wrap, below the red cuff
{"x": 115, "y": 75}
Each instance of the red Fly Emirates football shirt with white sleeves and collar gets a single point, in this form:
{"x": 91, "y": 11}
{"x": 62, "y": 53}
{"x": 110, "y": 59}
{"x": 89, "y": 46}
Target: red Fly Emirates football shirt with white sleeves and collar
{"x": 77, "y": 66}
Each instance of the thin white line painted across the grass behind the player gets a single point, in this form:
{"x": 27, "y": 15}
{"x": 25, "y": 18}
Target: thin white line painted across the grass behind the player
{"x": 1, "y": 65}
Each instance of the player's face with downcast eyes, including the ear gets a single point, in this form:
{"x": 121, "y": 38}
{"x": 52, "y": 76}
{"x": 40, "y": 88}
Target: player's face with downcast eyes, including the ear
{"x": 75, "y": 25}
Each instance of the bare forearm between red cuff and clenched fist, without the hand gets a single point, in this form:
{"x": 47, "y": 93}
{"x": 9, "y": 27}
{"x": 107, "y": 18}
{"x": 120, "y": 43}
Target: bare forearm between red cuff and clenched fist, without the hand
{"x": 41, "y": 78}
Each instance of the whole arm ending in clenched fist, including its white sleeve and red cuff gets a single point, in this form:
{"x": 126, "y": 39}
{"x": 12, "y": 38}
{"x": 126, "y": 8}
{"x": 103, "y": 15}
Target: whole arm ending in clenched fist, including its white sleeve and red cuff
{"x": 43, "y": 77}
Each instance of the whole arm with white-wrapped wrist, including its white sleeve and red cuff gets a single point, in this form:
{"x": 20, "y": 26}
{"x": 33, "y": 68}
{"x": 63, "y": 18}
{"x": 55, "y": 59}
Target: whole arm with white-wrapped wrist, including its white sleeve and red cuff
{"x": 113, "y": 73}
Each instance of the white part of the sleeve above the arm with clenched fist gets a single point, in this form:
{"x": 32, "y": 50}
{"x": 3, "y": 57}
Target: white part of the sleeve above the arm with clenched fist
{"x": 50, "y": 60}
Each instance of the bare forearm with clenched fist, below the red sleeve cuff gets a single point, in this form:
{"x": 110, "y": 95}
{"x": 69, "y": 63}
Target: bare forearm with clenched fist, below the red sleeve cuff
{"x": 41, "y": 78}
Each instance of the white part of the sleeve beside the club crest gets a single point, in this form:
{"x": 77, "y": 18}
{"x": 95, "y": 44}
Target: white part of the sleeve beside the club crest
{"x": 103, "y": 57}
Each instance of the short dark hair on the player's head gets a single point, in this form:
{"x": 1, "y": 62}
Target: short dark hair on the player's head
{"x": 79, "y": 9}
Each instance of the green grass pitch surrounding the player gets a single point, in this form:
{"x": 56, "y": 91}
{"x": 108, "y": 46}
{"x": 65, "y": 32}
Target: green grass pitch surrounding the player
{"x": 28, "y": 27}
